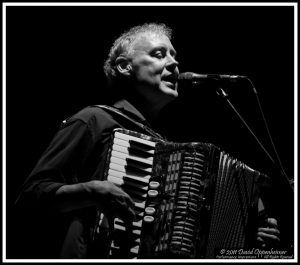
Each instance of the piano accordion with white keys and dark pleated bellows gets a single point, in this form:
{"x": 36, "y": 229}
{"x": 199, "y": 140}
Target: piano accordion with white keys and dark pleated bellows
{"x": 191, "y": 199}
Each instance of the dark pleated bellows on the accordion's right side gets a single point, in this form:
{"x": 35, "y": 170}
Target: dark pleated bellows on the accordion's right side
{"x": 231, "y": 206}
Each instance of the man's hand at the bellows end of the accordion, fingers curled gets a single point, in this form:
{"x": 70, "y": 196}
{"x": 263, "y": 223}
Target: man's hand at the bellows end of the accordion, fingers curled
{"x": 268, "y": 234}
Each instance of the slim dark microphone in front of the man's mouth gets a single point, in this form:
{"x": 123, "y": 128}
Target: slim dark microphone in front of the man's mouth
{"x": 198, "y": 78}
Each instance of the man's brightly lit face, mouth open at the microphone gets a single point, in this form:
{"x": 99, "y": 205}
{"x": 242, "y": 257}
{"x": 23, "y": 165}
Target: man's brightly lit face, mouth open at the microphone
{"x": 154, "y": 68}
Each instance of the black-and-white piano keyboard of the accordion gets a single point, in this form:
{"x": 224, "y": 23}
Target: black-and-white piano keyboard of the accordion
{"x": 130, "y": 167}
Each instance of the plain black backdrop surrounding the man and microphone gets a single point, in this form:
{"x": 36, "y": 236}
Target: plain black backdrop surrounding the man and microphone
{"x": 54, "y": 68}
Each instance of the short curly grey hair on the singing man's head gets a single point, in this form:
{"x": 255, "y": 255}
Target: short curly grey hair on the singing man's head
{"x": 122, "y": 44}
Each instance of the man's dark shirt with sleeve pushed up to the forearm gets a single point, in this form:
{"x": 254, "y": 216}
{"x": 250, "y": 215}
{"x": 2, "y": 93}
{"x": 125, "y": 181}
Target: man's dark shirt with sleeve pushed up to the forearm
{"x": 76, "y": 154}
